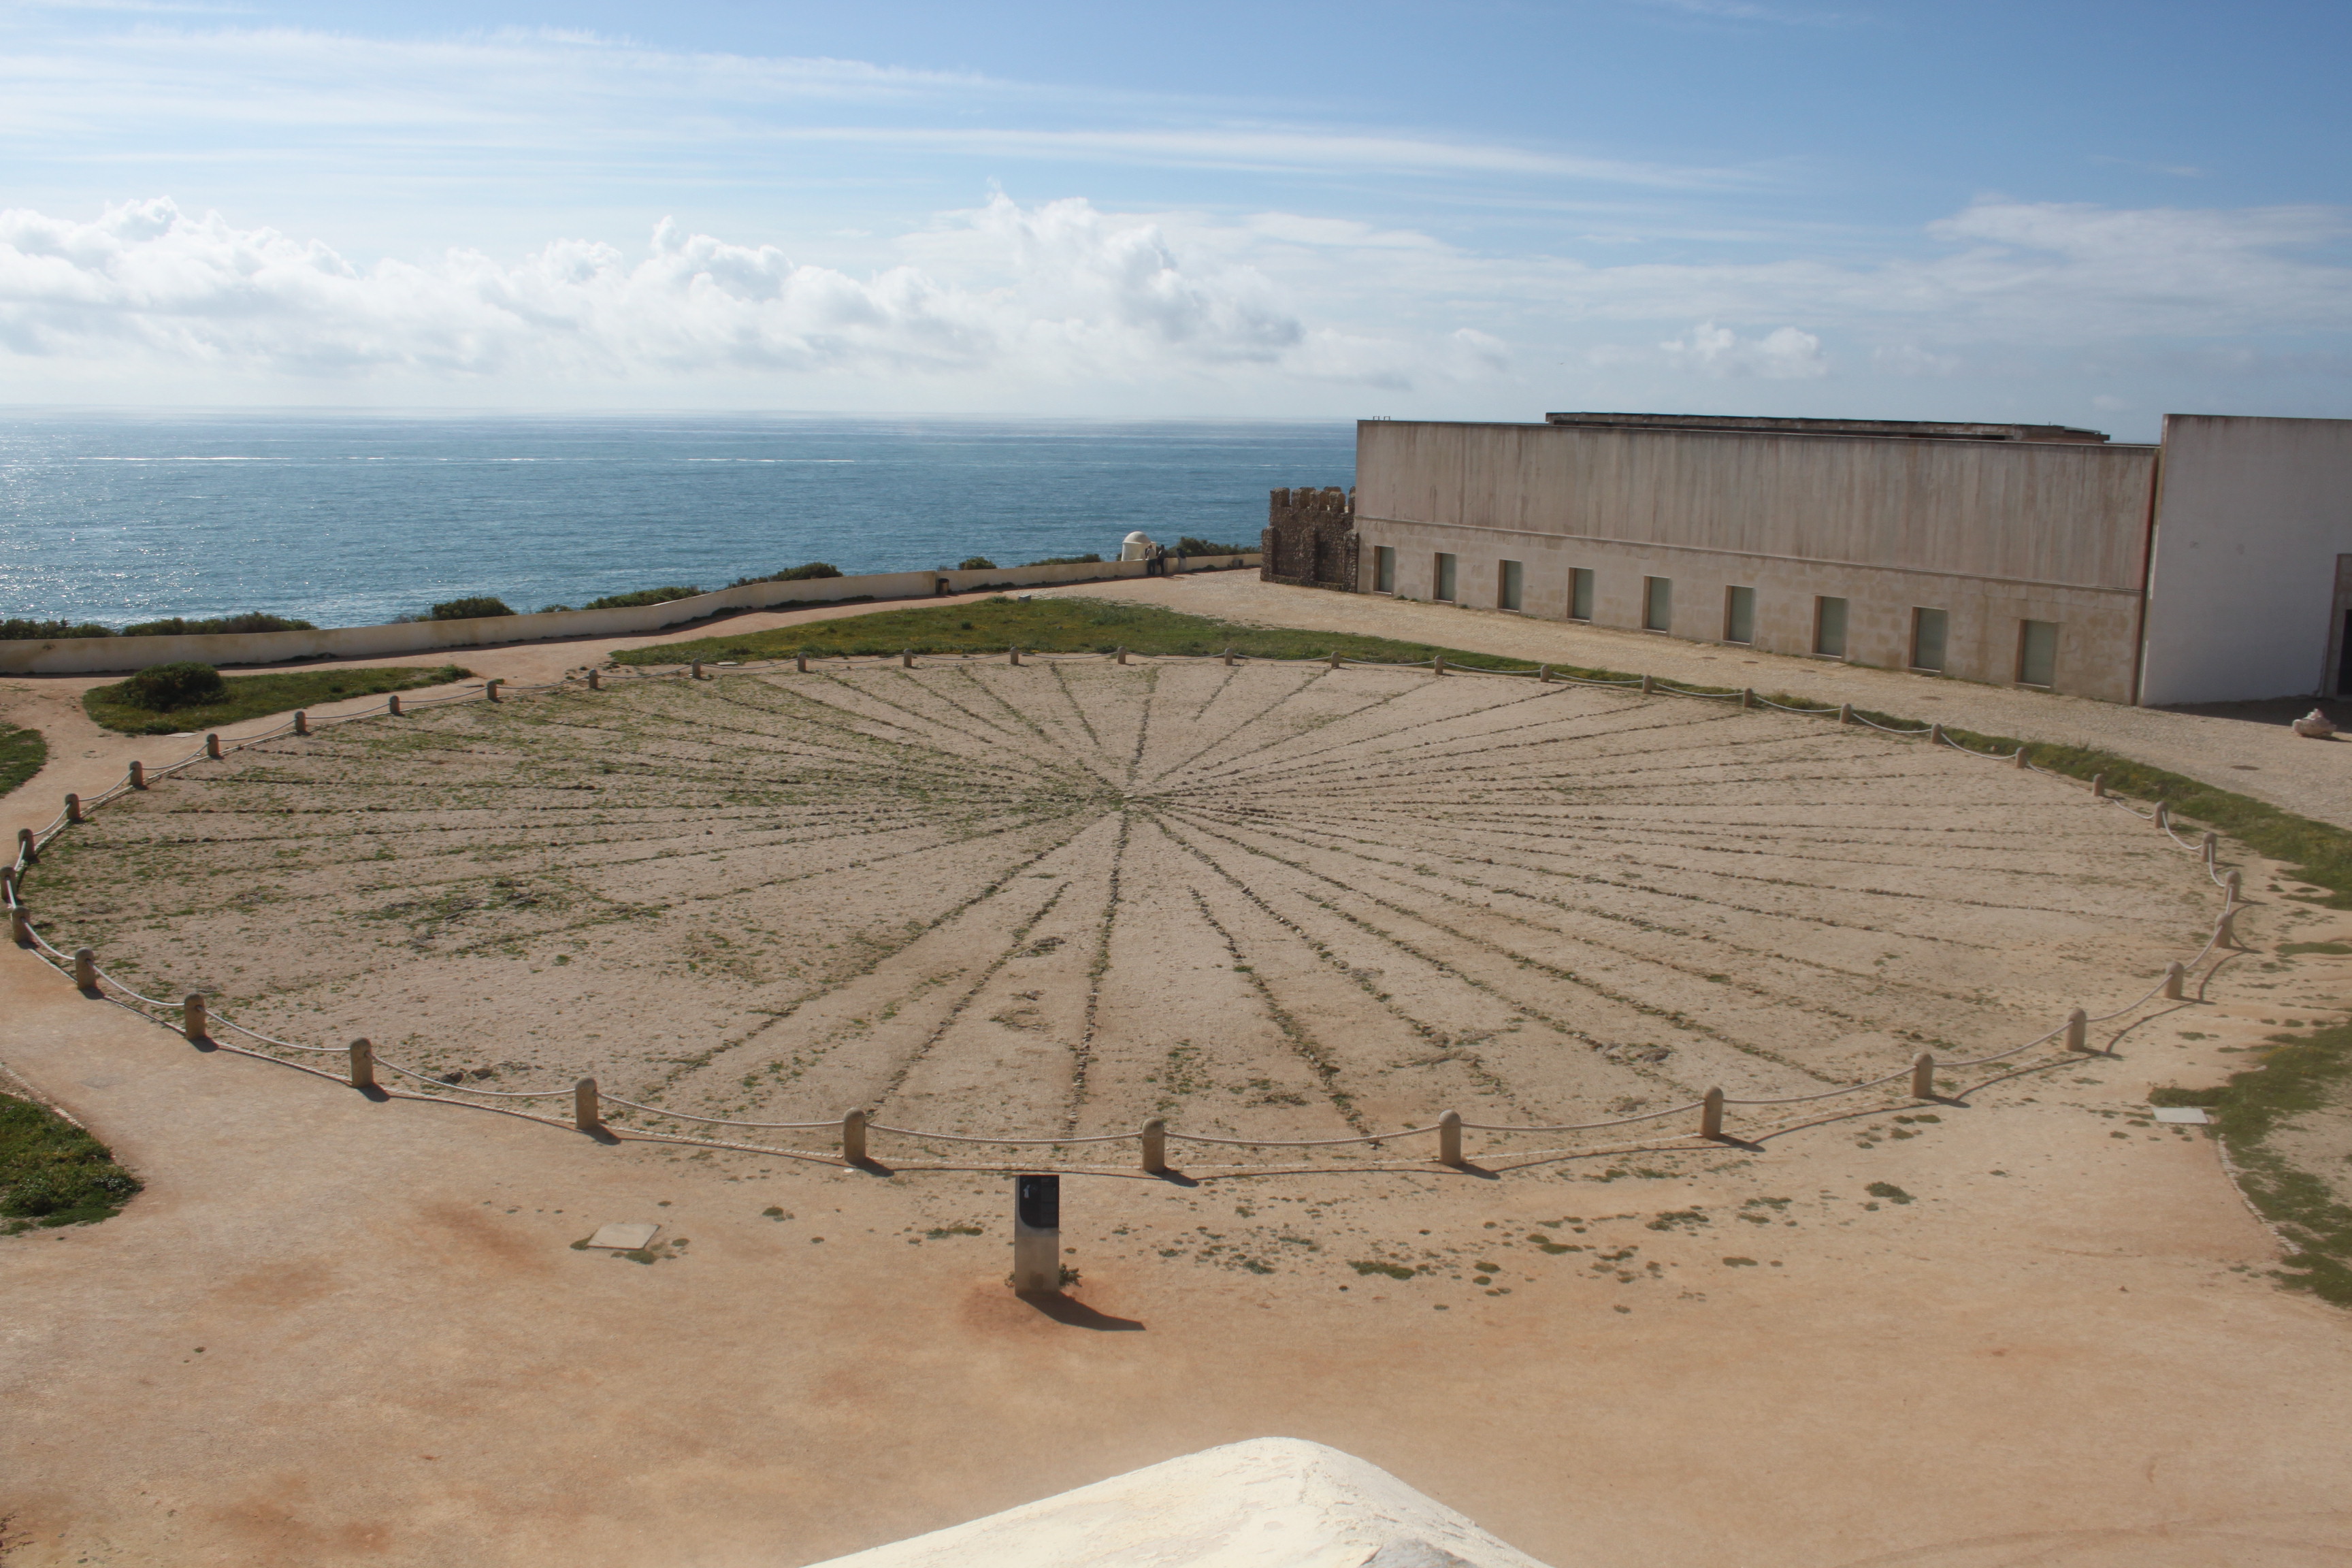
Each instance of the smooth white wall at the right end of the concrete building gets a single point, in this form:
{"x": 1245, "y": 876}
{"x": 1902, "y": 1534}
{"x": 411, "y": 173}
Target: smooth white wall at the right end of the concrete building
{"x": 2252, "y": 516}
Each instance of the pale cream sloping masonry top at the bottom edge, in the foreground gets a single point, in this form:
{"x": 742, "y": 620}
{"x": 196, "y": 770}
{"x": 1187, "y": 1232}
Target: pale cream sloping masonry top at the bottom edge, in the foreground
{"x": 1264, "y": 1503}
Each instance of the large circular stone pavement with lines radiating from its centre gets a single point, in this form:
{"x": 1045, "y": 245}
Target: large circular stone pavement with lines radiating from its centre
{"x": 1274, "y": 902}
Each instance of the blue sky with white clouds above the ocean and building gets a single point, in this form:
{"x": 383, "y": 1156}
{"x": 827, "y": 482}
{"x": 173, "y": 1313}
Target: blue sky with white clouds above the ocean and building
{"x": 2066, "y": 213}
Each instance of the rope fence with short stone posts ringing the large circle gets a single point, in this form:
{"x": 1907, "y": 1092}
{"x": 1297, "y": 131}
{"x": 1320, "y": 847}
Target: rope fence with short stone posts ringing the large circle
{"x": 196, "y": 1021}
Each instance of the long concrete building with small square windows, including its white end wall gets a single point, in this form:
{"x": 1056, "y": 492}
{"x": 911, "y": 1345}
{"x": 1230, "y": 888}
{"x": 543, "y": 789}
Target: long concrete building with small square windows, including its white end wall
{"x": 2210, "y": 568}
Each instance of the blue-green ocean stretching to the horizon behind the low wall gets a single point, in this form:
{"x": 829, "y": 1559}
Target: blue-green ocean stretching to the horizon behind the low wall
{"x": 359, "y": 518}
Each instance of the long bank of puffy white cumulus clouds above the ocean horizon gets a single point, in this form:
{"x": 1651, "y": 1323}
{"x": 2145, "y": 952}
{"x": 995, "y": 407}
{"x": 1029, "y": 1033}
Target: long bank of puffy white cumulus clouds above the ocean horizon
{"x": 1057, "y": 293}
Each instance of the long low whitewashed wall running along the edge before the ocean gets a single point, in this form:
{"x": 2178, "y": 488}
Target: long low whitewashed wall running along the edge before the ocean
{"x": 112, "y": 655}
